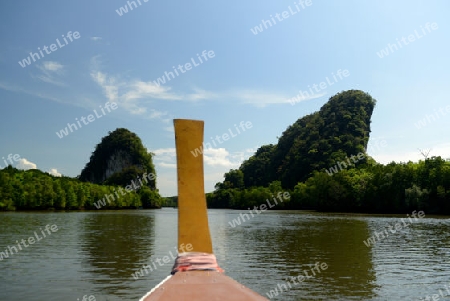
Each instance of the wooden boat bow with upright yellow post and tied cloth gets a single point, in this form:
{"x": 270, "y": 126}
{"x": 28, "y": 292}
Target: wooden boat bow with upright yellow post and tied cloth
{"x": 195, "y": 276}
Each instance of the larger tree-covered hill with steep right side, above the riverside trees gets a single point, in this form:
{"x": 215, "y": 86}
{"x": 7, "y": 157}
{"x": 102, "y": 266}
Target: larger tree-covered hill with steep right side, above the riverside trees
{"x": 337, "y": 131}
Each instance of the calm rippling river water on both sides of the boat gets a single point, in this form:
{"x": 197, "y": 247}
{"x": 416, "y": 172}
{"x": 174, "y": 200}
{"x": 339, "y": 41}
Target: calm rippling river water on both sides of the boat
{"x": 96, "y": 253}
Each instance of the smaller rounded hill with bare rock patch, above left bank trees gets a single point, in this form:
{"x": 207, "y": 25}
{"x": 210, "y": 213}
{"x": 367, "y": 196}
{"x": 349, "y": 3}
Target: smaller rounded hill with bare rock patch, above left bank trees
{"x": 119, "y": 158}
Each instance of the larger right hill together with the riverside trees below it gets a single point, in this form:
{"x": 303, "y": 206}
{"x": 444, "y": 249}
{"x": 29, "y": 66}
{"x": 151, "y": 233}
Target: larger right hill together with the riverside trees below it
{"x": 316, "y": 142}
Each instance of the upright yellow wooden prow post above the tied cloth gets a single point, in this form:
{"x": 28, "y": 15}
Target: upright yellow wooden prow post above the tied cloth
{"x": 193, "y": 229}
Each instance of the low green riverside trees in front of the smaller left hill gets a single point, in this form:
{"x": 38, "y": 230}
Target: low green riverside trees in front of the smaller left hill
{"x": 36, "y": 190}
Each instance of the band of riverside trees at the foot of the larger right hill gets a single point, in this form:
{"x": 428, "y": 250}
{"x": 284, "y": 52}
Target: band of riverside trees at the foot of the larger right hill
{"x": 371, "y": 188}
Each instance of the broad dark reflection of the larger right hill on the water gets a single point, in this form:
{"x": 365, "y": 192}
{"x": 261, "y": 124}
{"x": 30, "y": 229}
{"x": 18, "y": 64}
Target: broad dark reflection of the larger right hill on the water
{"x": 286, "y": 245}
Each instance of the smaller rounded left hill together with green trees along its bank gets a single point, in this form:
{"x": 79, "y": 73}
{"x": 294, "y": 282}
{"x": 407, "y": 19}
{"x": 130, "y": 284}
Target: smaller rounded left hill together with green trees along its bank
{"x": 119, "y": 160}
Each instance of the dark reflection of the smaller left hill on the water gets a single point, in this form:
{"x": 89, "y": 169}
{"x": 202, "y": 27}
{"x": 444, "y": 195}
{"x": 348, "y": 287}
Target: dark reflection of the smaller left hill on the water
{"x": 115, "y": 244}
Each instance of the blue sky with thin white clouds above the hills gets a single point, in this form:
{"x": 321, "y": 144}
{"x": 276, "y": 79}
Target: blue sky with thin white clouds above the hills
{"x": 250, "y": 77}
